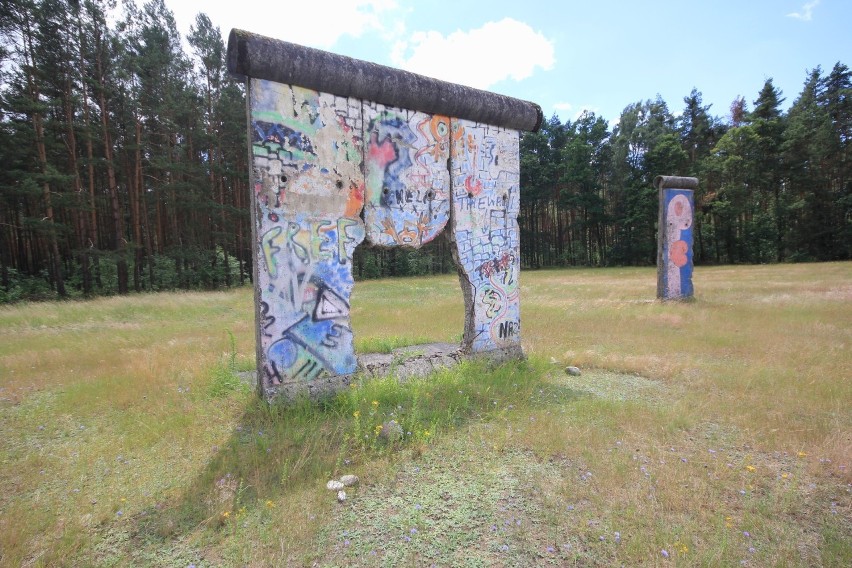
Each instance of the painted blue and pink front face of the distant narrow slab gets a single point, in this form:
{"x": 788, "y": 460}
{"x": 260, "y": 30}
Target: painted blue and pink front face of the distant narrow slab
{"x": 677, "y": 243}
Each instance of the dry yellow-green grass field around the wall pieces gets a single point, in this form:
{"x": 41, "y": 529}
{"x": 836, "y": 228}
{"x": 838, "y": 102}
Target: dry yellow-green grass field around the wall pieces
{"x": 711, "y": 433}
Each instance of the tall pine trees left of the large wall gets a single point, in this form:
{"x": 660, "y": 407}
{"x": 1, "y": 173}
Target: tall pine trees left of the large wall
{"x": 124, "y": 159}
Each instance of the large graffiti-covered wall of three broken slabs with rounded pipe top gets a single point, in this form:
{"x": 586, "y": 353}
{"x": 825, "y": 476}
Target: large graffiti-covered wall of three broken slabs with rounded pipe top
{"x": 344, "y": 151}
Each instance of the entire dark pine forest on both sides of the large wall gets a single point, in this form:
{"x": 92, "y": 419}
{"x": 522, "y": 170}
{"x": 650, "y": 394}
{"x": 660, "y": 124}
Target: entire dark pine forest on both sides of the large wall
{"x": 125, "y": 166}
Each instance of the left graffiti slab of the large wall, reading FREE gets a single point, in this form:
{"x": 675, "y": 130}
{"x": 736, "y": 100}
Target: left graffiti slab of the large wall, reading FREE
{"x": 309, "y": 192}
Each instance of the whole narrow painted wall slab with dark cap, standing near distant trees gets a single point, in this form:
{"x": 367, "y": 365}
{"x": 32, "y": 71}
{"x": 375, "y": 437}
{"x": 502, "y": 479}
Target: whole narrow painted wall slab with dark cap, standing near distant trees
{"x": 674, "y": 255}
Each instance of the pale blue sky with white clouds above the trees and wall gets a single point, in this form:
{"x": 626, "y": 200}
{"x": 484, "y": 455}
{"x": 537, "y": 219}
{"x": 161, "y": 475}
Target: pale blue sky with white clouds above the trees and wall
{"x": 568, "y": 56}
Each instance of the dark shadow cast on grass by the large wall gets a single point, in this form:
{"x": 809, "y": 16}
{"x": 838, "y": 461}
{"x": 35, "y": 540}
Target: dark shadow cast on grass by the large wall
{"x": 278, "y": 449}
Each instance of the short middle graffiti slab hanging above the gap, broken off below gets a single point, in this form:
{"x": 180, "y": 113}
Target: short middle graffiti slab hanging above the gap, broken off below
{"x": 407, "y": 181}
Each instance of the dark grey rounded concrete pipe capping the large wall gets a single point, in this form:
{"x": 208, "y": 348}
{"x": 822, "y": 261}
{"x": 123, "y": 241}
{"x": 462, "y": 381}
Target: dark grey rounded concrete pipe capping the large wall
{"x": 260, "y": 57}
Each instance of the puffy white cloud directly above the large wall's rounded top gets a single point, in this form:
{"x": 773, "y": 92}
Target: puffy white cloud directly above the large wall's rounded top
{"x": 507, "y": 49}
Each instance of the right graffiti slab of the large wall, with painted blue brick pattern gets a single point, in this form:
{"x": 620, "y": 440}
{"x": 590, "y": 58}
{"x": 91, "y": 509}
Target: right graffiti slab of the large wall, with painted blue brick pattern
{"x": 486, "y": 202}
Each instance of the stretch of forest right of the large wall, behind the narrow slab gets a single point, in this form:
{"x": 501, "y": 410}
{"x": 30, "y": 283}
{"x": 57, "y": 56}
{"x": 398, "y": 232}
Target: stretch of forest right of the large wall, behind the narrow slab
{"x": 774, "y": 186}
